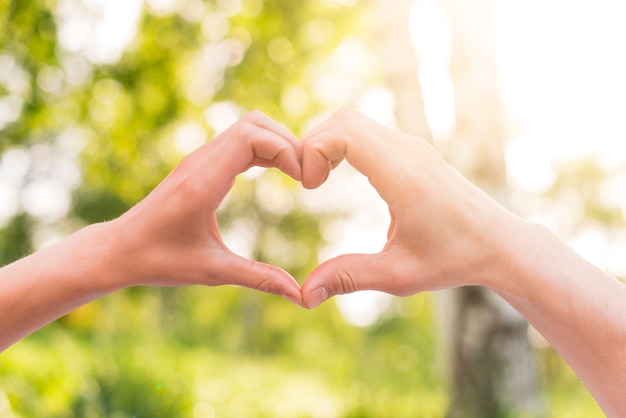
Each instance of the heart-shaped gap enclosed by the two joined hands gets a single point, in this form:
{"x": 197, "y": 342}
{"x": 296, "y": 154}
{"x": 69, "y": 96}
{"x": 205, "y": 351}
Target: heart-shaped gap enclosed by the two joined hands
{"x": 267, "y": 219}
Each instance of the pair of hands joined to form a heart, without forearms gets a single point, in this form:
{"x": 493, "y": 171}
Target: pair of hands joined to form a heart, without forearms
{"x": 171, "y": 238}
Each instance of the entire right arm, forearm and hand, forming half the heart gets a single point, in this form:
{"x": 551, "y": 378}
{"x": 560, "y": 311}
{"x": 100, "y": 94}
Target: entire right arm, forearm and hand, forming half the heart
{"x": 446, "y": 233}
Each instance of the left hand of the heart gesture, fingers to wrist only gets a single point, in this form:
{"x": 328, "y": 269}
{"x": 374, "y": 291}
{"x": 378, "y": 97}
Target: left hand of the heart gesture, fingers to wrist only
{"x": 171, "y": 238}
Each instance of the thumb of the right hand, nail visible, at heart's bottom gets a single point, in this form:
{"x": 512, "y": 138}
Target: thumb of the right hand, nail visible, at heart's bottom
{"x": 344, "y": 274}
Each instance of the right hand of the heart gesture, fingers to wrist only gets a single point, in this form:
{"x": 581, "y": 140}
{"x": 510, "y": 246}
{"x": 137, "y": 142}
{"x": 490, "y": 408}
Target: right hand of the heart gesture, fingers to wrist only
{"x": 437, "y": 234}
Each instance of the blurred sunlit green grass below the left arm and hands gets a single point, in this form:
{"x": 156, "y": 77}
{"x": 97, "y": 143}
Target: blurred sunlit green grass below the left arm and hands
{"x": 227, "y": 351}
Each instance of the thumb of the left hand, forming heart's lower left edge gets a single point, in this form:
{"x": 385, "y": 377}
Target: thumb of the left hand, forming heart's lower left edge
{"x": 260, "y": 276}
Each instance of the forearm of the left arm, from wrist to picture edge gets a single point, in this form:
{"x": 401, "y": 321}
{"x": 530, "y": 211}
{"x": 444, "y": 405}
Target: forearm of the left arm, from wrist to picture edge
{"x": 46, "y": 285}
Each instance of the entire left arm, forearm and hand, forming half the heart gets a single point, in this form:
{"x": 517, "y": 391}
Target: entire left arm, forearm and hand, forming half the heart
{"x": 171, "y": 238}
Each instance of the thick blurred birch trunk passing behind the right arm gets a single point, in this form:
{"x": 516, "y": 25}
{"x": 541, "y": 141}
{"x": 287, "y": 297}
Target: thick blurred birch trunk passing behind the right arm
{"x": 492, "y": 366}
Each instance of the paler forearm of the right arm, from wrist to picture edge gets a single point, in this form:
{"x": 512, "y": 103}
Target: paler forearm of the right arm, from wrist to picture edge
{"x": 579, "y": 309}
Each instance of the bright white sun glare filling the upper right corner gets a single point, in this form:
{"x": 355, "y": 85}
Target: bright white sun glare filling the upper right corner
{"x": 561, "y": 66}
